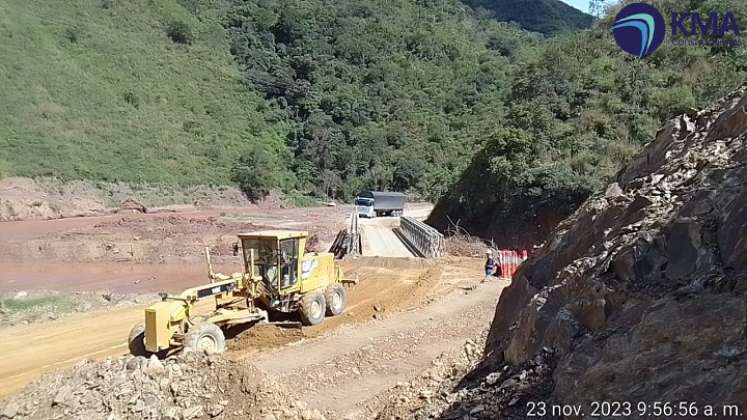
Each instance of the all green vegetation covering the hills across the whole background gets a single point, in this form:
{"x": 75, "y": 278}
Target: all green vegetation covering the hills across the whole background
{"x": 323, "y": 98}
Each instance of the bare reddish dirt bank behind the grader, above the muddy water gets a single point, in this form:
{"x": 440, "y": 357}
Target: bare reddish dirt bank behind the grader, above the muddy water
{"x": 166, "y": 237}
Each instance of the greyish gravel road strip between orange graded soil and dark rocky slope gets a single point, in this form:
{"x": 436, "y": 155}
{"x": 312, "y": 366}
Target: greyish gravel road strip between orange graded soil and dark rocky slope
{"x": 353, "y": 365}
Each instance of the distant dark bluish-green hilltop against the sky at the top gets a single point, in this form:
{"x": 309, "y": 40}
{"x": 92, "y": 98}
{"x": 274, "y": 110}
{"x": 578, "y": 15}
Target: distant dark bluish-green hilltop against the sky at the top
{"x": 549, "y": 17}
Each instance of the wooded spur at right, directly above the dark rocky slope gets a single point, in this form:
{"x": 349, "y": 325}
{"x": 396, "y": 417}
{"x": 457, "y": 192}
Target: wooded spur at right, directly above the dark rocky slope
{"x": 578, "y": 108}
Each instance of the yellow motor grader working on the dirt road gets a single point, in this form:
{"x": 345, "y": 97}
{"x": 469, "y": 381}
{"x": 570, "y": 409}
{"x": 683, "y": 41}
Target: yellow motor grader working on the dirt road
{"x": 278, "y": 276}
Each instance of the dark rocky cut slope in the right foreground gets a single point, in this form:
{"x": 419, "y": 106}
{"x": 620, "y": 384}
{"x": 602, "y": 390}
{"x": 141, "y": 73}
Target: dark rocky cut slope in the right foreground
{"x": 639, "y": 296}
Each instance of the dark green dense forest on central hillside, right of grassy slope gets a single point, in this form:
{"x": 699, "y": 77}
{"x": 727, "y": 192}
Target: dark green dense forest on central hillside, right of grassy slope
{"x": 388, "y": 96}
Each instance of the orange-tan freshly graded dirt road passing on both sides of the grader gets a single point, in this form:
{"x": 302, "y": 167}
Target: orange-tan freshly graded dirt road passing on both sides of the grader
{"x": 386, "y": 287}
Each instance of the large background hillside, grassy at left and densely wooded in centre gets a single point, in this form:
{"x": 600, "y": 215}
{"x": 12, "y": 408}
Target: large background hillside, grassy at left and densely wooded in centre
{"x": 322, "y": 97}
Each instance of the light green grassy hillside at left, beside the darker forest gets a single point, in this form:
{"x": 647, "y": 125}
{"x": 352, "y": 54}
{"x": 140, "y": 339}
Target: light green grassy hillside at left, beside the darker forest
{"x": 134, "y": 91}
